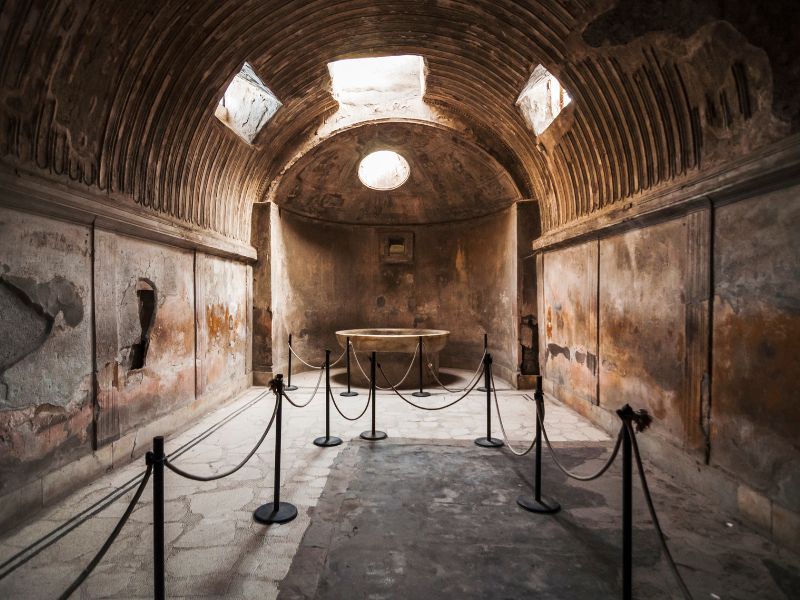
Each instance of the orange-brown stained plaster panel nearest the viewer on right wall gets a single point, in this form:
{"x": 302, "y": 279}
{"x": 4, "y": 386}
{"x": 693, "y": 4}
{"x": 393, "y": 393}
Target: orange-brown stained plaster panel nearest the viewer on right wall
{"x": 755, "y": 406}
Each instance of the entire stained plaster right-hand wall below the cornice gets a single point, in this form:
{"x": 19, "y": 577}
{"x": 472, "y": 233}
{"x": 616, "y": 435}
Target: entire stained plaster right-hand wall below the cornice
{"x": 628, "y": 318}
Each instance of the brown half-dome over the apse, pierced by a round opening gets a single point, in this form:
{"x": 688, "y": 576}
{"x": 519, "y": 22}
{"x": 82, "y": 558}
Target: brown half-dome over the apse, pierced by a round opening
{"x": 450, "y": 178}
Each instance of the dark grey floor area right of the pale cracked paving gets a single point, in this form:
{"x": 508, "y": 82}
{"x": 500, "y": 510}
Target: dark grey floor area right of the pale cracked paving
{"x": 404, "y": 519}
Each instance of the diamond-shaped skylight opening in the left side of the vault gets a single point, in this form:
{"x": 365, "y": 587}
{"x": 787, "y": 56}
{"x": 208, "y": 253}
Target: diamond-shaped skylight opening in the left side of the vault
{"x": 247, "y": 105}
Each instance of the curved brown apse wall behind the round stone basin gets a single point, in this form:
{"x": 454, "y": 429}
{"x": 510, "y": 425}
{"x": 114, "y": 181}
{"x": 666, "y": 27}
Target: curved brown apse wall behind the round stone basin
{"x": 463, "y": 278}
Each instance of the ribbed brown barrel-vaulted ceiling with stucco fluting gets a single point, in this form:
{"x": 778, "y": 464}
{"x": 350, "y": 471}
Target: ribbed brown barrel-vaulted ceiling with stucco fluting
{"x": 119, "y": 97}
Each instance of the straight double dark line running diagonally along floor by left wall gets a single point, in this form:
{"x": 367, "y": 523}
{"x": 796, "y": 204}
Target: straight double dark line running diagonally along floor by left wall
{"x": 58, "y": 533}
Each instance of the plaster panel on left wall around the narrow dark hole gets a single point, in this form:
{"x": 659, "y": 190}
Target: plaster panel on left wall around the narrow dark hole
{"x": 128, "y": 396}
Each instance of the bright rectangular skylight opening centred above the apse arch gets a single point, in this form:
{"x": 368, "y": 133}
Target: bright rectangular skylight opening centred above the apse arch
{"x": 377, "y": 80}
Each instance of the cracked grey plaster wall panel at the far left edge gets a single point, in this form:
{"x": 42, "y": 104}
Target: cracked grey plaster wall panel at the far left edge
{"x": 45, "y": 378}
